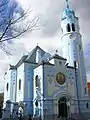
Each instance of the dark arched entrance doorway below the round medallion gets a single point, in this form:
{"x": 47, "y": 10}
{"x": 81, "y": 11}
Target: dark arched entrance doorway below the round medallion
{"x": 62, "y": 107}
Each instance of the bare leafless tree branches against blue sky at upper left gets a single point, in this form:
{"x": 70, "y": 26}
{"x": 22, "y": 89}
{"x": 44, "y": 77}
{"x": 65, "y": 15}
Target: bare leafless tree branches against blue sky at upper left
{"x": 14, "y": 24}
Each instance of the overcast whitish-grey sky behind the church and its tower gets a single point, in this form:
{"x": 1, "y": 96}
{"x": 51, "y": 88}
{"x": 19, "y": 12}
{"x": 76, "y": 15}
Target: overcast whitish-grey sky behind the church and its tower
{"x": 49, "y": 37}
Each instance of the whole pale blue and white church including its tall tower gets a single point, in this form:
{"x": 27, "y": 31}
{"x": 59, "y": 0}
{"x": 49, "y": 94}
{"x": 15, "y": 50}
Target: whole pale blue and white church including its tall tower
{"x": 51, "y": 85}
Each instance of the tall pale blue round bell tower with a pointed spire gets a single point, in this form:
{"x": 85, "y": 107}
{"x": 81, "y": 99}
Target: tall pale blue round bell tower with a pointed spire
{"x": 72, "y": 47}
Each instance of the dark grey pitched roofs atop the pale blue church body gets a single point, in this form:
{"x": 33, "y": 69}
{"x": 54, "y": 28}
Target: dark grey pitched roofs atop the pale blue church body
{"x": 31, "y": 58}
